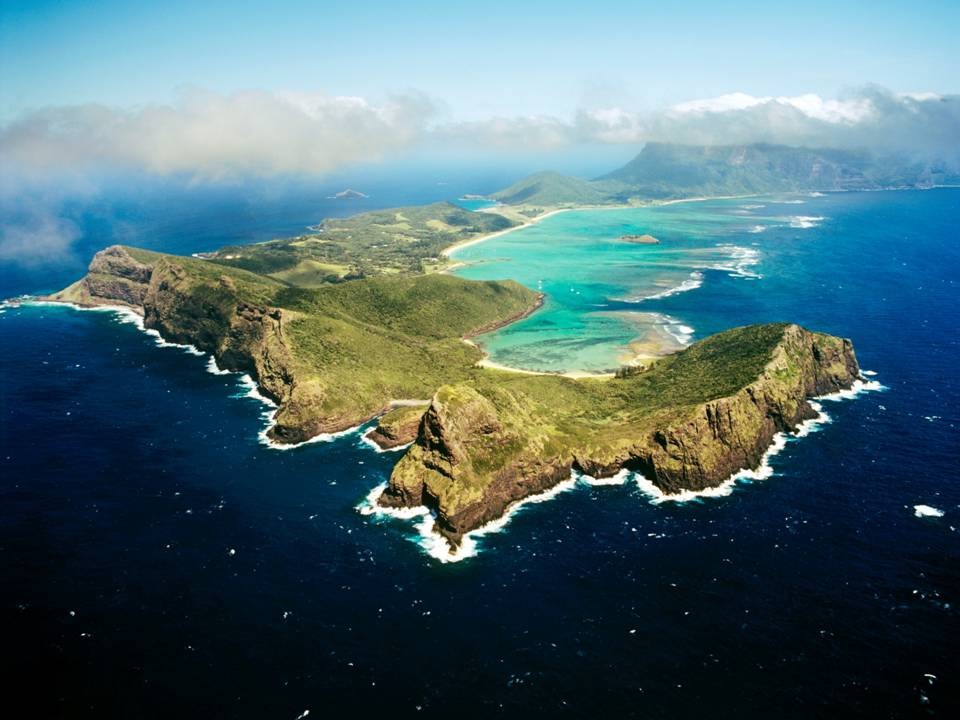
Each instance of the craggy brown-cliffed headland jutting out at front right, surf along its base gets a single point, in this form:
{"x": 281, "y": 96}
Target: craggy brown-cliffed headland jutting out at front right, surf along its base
{"x": 472, "y": 459}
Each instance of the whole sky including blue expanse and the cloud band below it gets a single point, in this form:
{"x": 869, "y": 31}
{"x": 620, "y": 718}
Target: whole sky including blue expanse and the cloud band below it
{"x": 214, "y": 90}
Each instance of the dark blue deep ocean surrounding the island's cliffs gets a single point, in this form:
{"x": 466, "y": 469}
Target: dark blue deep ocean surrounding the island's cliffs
{"x": 156, "y": 561}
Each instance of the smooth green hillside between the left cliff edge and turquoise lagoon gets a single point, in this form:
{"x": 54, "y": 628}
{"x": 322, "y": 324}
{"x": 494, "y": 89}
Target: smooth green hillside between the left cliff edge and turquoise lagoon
{"x": 366, "y": 342}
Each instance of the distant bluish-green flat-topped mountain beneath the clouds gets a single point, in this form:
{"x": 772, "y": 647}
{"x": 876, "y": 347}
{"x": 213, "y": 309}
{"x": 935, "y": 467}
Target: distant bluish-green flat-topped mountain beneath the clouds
{"x": 664, "y": 170}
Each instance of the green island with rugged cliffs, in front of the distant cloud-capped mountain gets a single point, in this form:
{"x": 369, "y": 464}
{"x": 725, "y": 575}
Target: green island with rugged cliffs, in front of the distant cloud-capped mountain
{"x": 354, "y": 323}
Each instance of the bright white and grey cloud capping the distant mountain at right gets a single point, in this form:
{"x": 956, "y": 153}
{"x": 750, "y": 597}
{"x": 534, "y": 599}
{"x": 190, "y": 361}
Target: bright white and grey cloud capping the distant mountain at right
{"x": 928, "y": 124}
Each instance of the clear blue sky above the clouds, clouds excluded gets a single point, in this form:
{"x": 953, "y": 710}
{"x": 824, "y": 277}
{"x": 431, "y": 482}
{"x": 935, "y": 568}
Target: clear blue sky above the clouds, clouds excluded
{"x": 475, "y": 59}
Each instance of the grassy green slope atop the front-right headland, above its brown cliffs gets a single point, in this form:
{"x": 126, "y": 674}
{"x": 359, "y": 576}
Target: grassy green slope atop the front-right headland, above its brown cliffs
{"x": 547, "y": 418}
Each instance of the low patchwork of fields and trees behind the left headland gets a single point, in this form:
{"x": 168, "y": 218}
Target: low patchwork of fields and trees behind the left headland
{"x": 394, "y": 241}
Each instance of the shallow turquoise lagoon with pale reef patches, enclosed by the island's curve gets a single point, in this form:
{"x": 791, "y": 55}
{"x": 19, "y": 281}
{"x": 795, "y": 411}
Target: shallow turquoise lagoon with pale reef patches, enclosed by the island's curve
{"x": 602, "y": 292}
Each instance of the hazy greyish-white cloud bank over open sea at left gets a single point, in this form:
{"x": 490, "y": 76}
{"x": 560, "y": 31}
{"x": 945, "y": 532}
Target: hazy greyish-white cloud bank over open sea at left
{"x": 207, "y": 135}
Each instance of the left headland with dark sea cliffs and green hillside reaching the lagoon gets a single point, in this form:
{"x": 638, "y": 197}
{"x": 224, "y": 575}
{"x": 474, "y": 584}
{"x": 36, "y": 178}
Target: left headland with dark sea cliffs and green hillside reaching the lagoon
{"x": 331, "y": 357}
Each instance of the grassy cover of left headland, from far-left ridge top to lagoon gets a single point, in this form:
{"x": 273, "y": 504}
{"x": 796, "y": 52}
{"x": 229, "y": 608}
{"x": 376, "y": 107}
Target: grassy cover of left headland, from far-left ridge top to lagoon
{"x": 353, "y": 346}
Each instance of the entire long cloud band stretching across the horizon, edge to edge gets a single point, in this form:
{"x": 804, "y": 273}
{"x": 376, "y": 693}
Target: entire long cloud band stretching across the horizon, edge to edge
{"x": 209, "y": 136}
